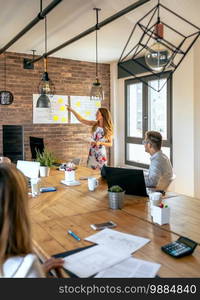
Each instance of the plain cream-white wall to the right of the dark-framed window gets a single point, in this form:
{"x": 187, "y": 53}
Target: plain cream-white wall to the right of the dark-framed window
{"x": 183, "y": 126}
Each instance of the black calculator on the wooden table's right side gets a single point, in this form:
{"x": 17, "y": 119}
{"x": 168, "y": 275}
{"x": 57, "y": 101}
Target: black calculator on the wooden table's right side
{"x": 182, "y": 247}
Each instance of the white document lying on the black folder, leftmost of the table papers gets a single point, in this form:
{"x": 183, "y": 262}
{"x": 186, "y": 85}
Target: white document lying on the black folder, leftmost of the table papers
{"x": 93, "y": 260}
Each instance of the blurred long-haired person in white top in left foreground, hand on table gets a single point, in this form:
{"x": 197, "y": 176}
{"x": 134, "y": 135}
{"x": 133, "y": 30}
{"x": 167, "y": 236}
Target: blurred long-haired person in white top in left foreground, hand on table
{"x": 17, "y": 258}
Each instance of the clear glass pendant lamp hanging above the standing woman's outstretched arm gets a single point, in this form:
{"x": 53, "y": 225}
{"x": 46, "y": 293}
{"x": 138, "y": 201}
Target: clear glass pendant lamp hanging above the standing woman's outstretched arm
{"x": 96, "y": 92}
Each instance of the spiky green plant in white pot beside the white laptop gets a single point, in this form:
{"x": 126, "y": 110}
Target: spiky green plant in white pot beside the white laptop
{"x": 46, "y": 160}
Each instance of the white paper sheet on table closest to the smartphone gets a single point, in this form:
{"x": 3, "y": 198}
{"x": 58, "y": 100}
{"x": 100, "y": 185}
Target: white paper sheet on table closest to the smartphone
{"x": 129, "y": 243}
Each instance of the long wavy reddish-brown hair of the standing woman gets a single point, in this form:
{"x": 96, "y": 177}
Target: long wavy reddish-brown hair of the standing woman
{"x": 107, "y": 123}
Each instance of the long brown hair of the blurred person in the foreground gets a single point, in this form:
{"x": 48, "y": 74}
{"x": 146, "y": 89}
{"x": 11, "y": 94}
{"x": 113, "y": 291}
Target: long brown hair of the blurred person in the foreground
{"x": 15, "y": 232}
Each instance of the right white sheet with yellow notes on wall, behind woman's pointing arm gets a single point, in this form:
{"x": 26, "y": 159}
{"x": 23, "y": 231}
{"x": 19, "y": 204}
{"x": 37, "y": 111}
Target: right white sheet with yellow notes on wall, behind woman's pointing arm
{"x": 85, "y": 107}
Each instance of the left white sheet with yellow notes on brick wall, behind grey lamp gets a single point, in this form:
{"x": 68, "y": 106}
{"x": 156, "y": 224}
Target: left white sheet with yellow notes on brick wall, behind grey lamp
{"x": 57, "y": 114}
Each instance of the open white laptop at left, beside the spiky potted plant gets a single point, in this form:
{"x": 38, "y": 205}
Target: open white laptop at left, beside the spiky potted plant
{"x": 29, "y": 168}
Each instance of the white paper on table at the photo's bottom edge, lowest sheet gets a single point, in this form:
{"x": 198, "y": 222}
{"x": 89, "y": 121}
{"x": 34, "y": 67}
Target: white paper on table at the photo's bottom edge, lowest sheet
{"x": 129, "y": 268}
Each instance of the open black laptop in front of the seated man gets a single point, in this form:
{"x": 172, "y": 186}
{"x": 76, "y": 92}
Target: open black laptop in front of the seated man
{"x": 131, "y": 180}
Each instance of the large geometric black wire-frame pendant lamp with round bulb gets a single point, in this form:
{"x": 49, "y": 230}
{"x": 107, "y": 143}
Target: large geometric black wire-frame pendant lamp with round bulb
{"x": 151, "y": 50}
